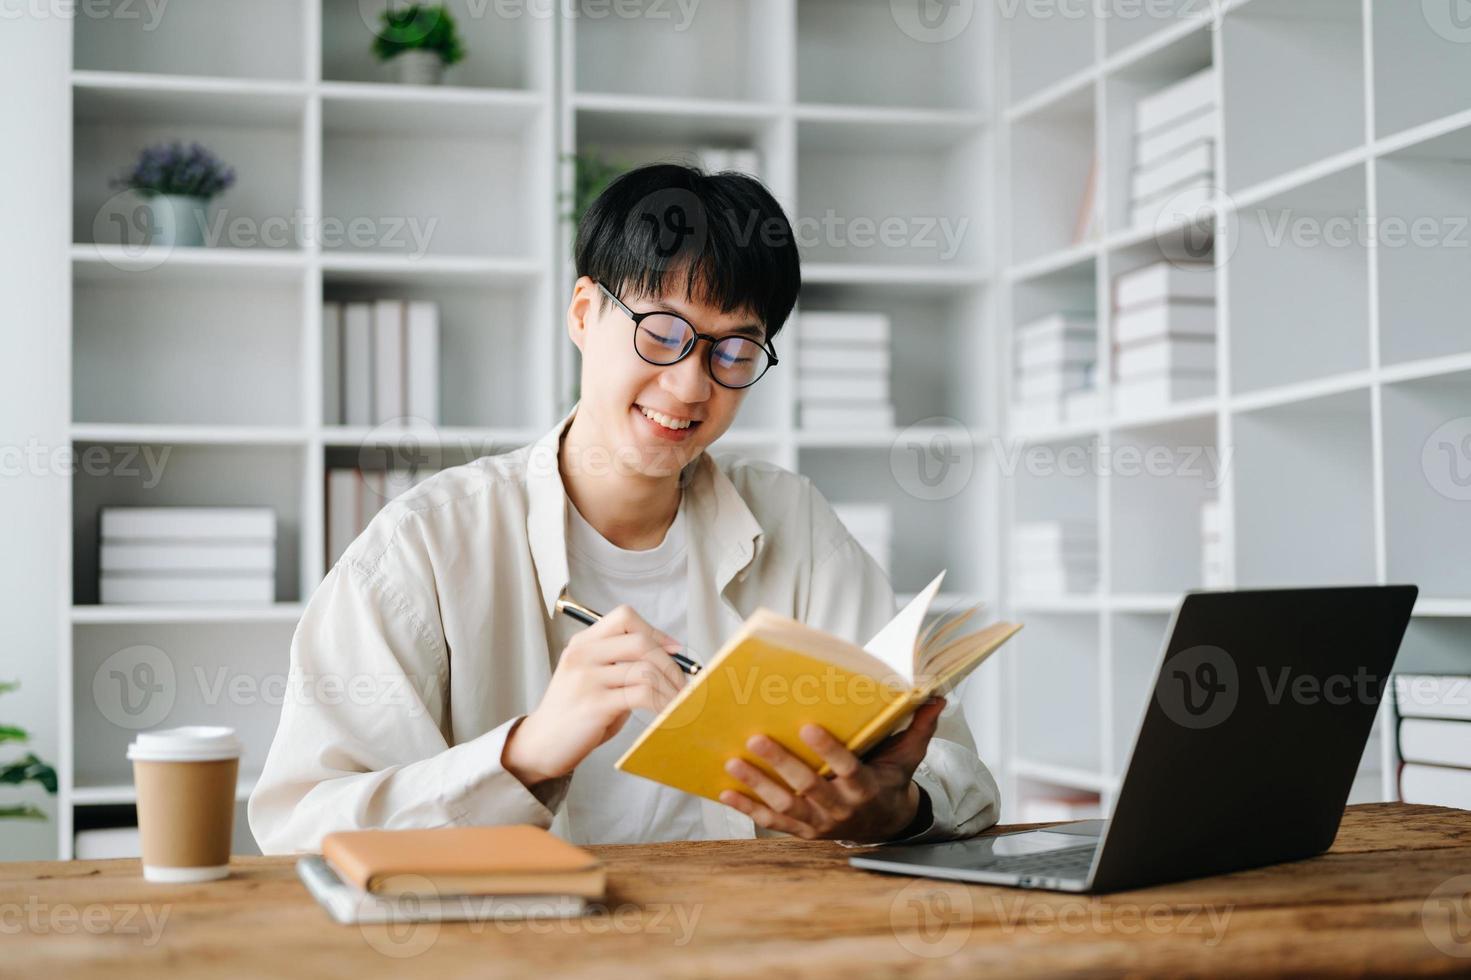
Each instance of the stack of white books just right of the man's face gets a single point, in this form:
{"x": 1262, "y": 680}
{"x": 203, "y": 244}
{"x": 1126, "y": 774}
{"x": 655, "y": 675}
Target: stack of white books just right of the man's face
{"x": 844, "y": 372}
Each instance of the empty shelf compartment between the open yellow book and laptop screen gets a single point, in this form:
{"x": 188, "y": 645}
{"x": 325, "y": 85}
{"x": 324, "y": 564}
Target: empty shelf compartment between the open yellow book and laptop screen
{"x": 1057, "y": 711}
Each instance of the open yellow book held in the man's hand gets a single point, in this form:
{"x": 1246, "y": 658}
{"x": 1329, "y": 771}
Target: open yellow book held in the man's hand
{"x": 777, "y": 675}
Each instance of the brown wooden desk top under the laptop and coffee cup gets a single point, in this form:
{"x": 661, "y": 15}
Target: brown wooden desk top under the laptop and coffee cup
{"x": 782, "y": 909}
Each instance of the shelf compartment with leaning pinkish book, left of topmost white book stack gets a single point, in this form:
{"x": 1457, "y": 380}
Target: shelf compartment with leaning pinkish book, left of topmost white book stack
{"x": 1053, "y": 173}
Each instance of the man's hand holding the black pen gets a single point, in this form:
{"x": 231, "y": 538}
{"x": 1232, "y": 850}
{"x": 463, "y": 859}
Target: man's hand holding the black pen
{"x": 610, "y": 670}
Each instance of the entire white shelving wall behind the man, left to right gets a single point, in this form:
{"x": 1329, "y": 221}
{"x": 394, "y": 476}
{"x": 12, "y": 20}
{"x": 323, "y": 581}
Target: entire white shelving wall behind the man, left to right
{"x": 1333, "y": 367}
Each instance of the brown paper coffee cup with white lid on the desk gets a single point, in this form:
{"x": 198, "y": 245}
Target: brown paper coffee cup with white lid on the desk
{"x": 186, "y": 782}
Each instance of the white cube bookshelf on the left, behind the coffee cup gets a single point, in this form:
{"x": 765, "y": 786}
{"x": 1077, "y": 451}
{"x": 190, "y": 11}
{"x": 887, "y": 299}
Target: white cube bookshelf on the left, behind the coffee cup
{"x": 214, "y": 355}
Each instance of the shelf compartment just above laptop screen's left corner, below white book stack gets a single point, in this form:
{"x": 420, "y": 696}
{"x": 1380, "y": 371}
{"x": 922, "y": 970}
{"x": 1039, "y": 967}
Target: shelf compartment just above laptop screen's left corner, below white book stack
{"x": 1160, "y": 477}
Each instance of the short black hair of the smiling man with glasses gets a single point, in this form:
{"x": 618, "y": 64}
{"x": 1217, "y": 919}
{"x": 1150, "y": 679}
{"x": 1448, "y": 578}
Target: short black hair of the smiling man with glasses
{"x": 724, "y": 233}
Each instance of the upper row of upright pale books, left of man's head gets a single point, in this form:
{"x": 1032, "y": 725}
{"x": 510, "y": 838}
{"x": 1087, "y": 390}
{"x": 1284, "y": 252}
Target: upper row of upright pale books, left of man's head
{"x": 380, "y": 363}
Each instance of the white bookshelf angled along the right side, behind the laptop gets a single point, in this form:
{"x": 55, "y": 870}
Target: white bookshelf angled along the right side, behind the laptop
{"x": 1336, "y": 364}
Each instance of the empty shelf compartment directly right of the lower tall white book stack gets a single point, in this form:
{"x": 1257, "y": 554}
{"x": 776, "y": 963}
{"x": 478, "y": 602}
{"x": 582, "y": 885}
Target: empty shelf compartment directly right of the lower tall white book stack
{"x": 1298, "y": 283}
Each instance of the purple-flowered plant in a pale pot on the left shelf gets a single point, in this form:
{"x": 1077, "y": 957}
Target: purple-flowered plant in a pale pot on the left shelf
{"x": 177, "y": 185}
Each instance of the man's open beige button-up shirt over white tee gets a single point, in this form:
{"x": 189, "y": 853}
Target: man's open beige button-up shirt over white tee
{"x": 433, "y": 635}
